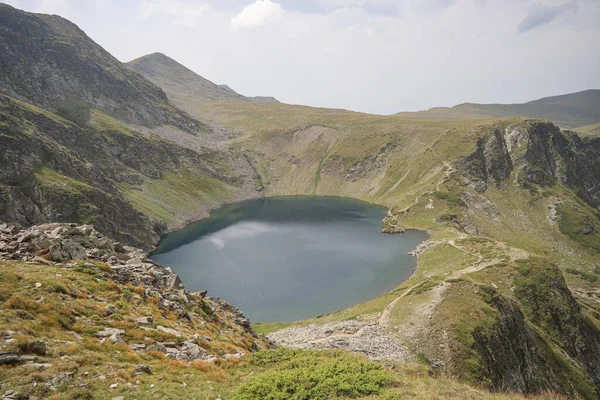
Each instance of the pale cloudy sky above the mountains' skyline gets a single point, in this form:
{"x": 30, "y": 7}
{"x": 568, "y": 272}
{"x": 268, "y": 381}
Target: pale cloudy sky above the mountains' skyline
{"x": 379, "y": 56}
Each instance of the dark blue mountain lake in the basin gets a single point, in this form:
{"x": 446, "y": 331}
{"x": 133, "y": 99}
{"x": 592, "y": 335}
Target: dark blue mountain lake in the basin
{"x": 291, "y": 258}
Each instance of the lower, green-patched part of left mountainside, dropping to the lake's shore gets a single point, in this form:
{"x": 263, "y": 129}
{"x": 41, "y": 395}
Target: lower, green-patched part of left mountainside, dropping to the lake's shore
{"x": 129, "y": 186}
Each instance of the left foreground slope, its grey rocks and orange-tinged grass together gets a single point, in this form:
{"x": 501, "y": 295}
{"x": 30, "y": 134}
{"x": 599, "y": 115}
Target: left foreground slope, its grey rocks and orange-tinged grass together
{"x": 105, "y": 297}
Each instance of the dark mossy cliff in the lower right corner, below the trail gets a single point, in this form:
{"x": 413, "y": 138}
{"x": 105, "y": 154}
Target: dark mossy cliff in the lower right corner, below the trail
{"x": 540, "y": 339}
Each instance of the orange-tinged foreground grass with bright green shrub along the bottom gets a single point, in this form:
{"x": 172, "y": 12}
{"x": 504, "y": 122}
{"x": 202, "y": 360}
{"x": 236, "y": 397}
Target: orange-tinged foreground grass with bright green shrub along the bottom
{"x": 74, "y": 301}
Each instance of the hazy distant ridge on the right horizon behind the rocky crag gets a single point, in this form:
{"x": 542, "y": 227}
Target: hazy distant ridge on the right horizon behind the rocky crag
{"x": 567, "y": 111}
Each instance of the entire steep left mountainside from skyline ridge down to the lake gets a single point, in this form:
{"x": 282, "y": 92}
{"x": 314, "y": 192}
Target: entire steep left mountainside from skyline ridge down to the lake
{"x": 79, "y": 139}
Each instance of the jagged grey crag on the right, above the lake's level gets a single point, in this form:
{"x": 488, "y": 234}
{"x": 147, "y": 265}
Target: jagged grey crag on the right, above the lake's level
{"x": 538, "y": 153}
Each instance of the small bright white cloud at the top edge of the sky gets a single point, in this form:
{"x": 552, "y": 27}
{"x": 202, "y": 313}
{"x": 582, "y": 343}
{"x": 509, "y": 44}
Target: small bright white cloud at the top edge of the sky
{"x": 182, "y": 12}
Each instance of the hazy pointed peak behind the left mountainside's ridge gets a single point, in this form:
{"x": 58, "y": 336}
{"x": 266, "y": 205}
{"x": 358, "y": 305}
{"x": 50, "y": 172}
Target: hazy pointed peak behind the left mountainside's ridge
{"x": 183, "y": 86}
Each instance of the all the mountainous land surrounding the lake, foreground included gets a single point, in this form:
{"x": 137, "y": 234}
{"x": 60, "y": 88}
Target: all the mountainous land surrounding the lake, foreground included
{"x": 505, "y": 297}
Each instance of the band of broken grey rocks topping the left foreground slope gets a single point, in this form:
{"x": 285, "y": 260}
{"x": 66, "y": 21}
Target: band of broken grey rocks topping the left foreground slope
{"x": 69, "y": 244}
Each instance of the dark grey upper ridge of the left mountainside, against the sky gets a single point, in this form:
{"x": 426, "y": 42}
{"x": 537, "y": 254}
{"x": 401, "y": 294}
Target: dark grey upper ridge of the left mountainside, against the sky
{"x": 49, "y": 62}
